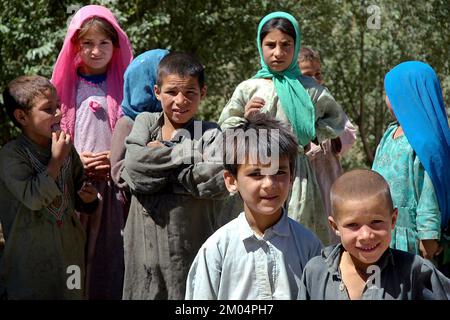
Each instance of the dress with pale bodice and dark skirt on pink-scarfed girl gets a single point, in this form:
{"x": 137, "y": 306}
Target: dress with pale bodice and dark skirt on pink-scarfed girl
{"x": 105, "y": 244}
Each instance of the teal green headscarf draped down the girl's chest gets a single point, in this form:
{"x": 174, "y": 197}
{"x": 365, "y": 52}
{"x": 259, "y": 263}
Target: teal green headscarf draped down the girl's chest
{"x": 296, "y": 102}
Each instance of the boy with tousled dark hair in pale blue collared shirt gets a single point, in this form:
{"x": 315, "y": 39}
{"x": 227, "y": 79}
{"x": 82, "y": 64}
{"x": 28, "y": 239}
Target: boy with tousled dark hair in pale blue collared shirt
{"x": 261, "y": 253}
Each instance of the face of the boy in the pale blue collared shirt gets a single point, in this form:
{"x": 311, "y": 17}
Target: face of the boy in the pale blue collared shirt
{"x": 262, "y": 194}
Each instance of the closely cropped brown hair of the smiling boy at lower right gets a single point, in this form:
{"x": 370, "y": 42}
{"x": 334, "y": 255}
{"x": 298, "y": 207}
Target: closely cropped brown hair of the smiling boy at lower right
{"x": 360, "y": 184}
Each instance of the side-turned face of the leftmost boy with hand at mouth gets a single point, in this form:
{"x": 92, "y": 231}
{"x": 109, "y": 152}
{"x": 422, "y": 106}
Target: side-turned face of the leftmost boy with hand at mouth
{"x": 42, "y": 119}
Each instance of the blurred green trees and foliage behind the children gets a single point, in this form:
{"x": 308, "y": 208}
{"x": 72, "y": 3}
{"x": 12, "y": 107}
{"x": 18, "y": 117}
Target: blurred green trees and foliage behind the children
{"x": 359, "y": 41}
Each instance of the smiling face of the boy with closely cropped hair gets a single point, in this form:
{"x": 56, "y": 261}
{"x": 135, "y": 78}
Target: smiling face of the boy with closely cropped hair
{"x": 364, "y": 227}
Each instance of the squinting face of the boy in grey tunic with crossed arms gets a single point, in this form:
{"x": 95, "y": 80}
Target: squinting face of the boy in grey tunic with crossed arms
{"x": 180, "y": 98}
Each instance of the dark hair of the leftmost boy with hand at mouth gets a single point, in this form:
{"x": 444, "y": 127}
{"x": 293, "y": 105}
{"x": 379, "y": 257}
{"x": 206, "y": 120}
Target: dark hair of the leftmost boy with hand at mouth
{"x": 21, "y": 93}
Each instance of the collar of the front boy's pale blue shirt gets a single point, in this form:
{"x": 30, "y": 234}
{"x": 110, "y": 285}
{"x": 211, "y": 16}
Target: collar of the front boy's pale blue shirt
{"x": 281, "y": 228}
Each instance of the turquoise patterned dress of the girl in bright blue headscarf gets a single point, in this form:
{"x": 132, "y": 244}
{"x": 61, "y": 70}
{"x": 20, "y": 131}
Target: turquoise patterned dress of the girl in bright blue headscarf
{"x": 412, "y": 192}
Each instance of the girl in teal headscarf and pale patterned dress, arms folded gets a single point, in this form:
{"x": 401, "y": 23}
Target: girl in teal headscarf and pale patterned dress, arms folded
{"x": 279, "y": 89}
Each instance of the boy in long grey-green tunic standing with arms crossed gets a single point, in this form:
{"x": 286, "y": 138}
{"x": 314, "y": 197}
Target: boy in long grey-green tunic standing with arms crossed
{"x": 175, "y": 195}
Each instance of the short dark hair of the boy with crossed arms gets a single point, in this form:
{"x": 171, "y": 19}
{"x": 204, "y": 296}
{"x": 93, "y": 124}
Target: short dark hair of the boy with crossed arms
{"x": 182, "y": 64}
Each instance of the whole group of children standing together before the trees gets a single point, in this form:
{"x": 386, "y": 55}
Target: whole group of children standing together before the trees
{"x": 115, "y": 191}
